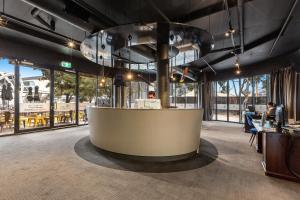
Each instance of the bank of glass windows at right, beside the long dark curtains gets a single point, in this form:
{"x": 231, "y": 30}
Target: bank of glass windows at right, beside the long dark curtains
{"x": 242, "y": 93}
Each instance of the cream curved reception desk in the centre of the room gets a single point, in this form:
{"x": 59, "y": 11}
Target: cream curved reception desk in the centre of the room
{"x": 167, "y": 133}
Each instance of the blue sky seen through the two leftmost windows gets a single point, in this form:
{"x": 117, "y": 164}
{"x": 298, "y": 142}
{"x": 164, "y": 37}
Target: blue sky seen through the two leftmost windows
{"x": 24, "y": 71}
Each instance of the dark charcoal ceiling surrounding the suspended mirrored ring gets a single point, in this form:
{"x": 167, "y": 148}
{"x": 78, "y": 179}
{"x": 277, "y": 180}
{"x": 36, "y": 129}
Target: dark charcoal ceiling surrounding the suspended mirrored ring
{"x": 262, "y": 21}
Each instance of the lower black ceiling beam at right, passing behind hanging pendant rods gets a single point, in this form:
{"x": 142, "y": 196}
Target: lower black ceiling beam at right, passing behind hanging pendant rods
{"x": 258, "y": 42}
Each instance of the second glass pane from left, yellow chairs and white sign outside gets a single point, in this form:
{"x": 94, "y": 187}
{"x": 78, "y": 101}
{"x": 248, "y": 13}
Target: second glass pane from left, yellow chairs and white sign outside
{"x": 34, "y": 98}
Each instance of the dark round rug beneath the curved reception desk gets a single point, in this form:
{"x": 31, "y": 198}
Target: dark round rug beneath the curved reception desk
{"x": 86, "y": 150}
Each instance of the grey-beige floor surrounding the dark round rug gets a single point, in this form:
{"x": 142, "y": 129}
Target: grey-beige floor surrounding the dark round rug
{"x": 45, "y": 166}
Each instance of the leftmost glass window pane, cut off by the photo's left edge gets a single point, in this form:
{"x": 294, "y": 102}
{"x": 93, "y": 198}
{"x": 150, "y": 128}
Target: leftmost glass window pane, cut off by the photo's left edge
{"x": 7, "y": 87}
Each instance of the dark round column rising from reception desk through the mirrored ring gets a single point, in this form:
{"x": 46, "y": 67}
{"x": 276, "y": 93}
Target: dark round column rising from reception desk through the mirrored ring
{"x": 162, "y": 75}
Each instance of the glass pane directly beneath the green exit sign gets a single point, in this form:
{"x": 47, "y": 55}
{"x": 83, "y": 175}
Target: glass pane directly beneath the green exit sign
{"x": 64, "y": 98}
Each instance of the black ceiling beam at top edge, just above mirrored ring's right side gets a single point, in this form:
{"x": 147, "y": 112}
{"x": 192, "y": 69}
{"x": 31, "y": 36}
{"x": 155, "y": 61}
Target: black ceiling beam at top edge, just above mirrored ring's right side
{"x": 207, "y": 11}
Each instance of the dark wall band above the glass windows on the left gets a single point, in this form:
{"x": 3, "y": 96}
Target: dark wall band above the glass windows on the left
{"x": 15, "y": 48}
